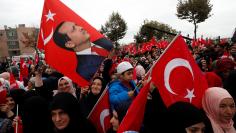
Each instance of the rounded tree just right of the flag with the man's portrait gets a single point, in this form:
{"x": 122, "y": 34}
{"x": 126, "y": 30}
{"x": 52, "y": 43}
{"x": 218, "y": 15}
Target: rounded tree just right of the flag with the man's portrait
{"x": 115, "y": 28}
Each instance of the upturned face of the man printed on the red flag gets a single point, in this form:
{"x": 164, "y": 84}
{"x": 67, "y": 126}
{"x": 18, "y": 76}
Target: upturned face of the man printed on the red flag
{"x": 76, "y": 33}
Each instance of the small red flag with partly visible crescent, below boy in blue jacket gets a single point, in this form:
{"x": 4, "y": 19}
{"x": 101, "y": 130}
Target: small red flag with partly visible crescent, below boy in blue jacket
{"x": 100, "y": 115}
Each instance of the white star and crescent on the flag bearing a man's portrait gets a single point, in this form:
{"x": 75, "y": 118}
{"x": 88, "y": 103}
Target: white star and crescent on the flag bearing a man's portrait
{"x": 49, "y": 16}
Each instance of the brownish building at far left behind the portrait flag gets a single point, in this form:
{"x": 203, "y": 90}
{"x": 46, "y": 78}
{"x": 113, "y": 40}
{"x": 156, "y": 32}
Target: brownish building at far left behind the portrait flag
{"x": 17, "y": 41}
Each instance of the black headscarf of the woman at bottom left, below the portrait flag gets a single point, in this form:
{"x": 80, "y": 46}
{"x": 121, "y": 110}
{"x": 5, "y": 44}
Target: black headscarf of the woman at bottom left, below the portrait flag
{"x": 69, "y": 104}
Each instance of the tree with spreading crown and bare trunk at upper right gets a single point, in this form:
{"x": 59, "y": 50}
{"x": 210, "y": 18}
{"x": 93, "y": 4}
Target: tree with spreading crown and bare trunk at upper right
{"x": 194, "y": 11}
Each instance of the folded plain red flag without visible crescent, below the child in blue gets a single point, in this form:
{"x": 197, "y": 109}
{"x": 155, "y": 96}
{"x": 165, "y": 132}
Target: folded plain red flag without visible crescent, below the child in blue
{"x": 134, "y": 117}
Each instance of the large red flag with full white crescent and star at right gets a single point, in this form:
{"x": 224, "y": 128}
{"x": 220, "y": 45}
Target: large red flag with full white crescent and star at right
{"x": 177, "y": 76}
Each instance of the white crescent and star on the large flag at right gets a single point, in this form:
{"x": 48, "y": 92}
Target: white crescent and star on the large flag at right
{"x": 171, "y": 65}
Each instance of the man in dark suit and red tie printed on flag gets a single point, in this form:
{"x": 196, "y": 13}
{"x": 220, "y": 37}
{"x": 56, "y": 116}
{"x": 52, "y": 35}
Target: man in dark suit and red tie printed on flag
{"x": 72, "y": 37}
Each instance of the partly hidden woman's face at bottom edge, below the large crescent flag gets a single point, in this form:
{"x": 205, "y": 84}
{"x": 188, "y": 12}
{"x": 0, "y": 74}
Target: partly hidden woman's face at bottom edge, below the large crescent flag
{"x": 196, "y": 128}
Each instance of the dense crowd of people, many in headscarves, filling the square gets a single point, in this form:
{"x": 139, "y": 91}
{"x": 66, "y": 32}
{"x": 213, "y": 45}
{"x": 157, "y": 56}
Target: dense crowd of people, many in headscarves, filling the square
{"x": 46, "y": 101}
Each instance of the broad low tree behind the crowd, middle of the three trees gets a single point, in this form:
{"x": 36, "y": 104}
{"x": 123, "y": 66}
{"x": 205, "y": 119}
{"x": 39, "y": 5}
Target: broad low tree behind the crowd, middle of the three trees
{"x": 146, "y": 33}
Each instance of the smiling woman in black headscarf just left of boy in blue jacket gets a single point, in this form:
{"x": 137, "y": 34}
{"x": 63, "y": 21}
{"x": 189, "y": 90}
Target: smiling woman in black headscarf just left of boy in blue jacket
{"x": 88, "y": 101}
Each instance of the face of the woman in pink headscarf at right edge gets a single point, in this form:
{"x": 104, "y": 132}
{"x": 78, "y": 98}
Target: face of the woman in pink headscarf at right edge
{"x": 226, "y": 110}
